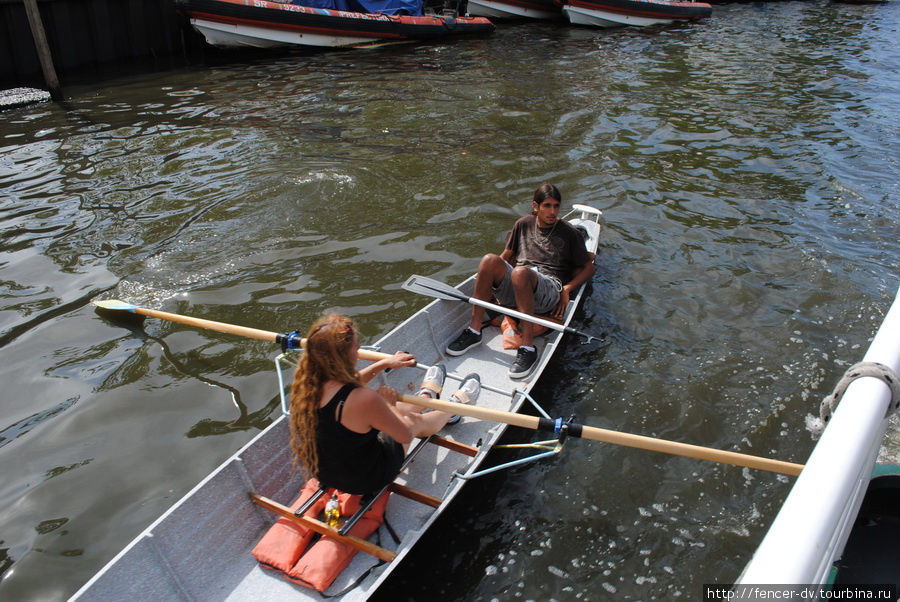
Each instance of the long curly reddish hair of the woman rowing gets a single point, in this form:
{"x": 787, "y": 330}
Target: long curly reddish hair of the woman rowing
{"x": 327, "y": 357}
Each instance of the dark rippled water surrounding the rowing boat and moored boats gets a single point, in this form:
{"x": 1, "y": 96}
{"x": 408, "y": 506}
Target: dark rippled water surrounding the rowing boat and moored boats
{"x": 748, "y": 170}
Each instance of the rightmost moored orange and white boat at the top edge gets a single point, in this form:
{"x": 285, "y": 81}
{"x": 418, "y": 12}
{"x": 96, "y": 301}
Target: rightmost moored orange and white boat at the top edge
{"x": 615, "y": 13}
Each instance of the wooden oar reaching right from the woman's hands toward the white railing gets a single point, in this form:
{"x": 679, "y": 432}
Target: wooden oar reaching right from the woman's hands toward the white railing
{"x": 608, "y": 436}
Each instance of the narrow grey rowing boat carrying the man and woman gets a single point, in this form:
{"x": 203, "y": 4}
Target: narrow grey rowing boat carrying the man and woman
{"x": 201, "y": 547}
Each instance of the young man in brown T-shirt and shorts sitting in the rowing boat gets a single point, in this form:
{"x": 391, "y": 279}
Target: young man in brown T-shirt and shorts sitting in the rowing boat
{"x": 544, "y": 261}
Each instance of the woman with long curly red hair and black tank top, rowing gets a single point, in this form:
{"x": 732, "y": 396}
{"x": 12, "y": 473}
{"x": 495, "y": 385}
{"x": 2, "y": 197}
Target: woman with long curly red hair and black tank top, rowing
{"x": 348, "y": 436}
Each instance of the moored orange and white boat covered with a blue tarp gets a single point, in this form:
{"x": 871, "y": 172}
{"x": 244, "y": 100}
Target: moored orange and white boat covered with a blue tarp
{"x": 333, "y": 23}
